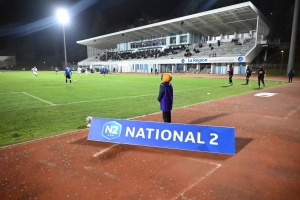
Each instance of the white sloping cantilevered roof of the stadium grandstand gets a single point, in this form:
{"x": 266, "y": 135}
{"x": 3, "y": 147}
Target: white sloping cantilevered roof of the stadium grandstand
{"x": 226, "y": 20}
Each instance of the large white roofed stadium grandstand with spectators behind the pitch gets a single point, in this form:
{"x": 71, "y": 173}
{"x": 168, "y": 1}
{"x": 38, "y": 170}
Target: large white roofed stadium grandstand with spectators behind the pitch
{"x": 205, "y": 42}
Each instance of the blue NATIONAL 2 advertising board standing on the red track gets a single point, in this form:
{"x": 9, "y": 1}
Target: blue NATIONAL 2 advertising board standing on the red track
{"x": 212, "y": 139}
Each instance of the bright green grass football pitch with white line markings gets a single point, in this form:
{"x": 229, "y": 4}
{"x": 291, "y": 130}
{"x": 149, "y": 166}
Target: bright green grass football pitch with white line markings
{"x": 36, "y": 108}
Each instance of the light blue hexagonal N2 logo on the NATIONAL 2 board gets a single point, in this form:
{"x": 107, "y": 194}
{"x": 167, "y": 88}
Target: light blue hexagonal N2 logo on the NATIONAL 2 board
{"x": 111, "y": 130}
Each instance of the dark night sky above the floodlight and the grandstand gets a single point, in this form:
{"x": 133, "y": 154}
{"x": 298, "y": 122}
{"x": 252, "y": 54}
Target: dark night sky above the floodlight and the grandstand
{"x": 29, "y": 29}
